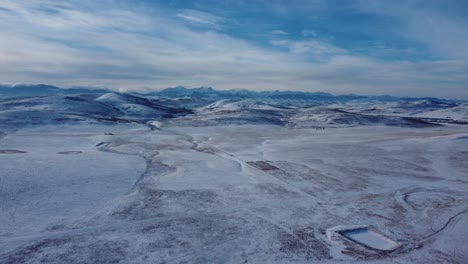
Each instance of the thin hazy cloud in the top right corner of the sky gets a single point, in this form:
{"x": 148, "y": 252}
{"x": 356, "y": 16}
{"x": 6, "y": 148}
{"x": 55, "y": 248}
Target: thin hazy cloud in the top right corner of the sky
{"x": 444, "y": 30}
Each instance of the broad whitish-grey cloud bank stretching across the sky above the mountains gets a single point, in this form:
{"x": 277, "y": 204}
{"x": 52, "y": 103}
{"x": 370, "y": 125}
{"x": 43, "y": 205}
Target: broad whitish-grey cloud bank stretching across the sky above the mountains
{"x": 133, "y": 46}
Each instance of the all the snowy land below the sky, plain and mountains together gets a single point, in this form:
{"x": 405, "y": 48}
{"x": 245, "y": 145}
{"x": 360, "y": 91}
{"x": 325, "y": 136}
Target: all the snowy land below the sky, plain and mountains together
{"x": 200, "y": 176}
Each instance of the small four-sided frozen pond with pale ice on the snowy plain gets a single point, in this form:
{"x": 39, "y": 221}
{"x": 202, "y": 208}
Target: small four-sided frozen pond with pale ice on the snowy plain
{"x": 370, "y": 239}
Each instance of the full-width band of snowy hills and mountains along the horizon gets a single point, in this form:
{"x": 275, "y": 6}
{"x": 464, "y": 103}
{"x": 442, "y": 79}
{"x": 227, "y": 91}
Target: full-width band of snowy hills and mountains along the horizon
{"x": 39, "y": 104}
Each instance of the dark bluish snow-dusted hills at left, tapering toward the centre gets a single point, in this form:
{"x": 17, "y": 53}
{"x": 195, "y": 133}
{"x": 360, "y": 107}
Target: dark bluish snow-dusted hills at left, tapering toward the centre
{"x": 79, "y": 108}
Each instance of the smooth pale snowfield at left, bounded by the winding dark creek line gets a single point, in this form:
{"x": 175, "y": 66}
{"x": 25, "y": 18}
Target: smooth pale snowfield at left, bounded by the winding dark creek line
{"x": 55, "y": 173}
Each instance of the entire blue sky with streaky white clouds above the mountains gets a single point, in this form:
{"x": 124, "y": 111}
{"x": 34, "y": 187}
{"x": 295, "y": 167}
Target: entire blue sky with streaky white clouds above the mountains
{"x": 368, "y": 47}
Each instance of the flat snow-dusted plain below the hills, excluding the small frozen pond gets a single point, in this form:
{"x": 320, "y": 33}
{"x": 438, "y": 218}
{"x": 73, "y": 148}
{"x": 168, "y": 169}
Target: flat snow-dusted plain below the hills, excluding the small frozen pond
{"x": 231, "y": 194}
